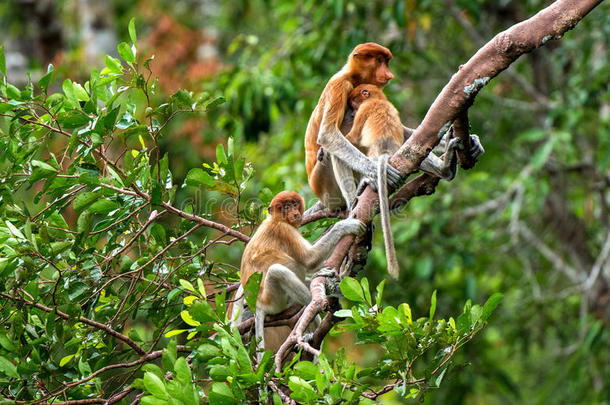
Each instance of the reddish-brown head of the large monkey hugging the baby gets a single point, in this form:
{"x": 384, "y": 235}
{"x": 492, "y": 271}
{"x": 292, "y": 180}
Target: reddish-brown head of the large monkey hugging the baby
{"x": 368, "y": 63}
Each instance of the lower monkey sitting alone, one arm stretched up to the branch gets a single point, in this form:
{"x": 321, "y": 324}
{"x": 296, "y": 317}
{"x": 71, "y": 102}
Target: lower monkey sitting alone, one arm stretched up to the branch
{"x": 278, "y": 250}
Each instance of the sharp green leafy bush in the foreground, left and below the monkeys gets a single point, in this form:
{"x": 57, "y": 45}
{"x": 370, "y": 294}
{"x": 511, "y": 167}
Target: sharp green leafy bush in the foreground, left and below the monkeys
{"x": 97, "y": 278}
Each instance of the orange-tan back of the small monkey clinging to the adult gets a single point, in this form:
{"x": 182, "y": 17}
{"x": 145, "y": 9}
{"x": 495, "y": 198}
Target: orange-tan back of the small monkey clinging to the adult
{"x": 382, "y": 132}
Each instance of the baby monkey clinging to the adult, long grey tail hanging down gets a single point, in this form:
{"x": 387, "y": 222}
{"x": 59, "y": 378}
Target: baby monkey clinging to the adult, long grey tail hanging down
{"x": 378, "y": 133}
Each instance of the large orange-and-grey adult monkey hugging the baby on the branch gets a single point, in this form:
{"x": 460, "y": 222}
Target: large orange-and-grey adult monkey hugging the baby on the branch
{"x": 330, "y": 173}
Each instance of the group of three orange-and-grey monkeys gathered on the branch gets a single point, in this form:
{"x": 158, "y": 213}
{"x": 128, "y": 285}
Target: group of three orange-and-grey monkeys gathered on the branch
{"x": 351, "y": 134}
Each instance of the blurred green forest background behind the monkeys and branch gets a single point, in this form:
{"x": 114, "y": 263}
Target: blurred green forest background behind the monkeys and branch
{"x": 531, "y": 220}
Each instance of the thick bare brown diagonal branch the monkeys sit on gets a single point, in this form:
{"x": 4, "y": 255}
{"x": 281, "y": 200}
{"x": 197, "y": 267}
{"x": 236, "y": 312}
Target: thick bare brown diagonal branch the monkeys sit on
{"x": 449, "y": 107}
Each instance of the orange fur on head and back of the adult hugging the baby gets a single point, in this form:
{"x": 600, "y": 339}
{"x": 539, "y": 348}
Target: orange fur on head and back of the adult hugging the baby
{"x": 368, "y": 63}
